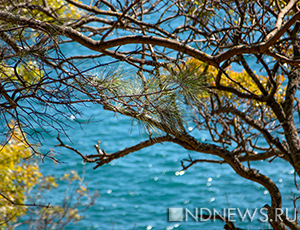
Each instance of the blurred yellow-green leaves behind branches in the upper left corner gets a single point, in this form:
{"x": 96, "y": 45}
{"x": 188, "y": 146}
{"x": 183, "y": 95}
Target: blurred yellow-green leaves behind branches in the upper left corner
{"x": 27, "y": 43}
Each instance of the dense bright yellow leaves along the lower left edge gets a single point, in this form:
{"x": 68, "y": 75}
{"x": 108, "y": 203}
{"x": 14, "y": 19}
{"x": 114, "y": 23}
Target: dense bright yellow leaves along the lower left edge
{"x": 18, "y": 175}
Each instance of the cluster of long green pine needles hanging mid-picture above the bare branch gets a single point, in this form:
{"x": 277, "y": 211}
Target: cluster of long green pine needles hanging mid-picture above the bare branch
{"x": 156, "y": 100}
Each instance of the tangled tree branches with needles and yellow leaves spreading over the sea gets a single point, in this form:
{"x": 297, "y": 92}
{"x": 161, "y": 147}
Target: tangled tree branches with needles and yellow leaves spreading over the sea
{"x": 230, "y": 68}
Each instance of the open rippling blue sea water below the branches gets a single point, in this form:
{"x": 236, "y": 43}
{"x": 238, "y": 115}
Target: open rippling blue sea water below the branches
{"x": 137, "y": 190}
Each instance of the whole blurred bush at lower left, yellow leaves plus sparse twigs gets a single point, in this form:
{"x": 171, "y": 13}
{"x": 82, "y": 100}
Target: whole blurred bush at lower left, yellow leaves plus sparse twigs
{"x": 23, "y": 184}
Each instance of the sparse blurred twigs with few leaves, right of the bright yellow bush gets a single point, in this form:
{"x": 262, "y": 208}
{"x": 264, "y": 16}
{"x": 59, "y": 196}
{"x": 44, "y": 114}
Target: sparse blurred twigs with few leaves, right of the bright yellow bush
{"x": 76, "y": 200}
